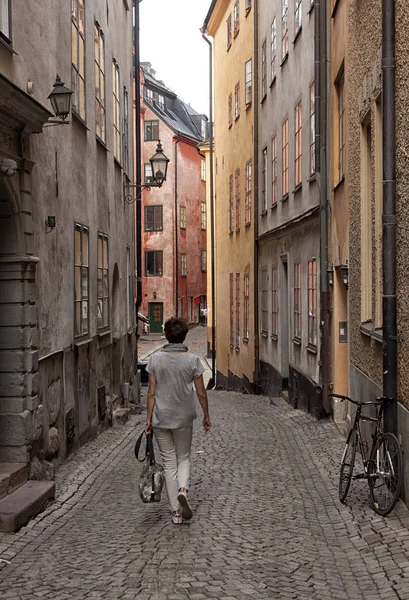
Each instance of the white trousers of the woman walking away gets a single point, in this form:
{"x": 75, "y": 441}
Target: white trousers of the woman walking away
{"x": 174, "y": 447}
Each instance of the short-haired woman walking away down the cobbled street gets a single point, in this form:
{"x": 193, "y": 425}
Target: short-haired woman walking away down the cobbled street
{"x": 171, "y": 411}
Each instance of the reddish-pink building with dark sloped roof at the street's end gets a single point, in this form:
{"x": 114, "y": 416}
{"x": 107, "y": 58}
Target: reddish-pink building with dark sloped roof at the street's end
{"x": 174, "y": 219}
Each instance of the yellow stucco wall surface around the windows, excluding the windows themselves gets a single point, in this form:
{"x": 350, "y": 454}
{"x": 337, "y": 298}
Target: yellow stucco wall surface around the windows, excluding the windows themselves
{"x": 234, "y": 147}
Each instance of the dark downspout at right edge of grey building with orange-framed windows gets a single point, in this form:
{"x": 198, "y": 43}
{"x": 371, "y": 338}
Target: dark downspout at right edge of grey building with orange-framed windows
{"x": 321, "y": 95}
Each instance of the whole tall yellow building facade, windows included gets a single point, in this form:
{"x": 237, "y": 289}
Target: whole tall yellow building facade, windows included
{"x": 231, "y": 25}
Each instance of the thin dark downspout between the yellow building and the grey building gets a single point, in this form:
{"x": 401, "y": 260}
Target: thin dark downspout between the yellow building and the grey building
{"x": 255, "y": 187}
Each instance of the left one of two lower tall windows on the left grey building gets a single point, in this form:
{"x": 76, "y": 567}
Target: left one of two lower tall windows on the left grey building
{"x": 81, "y": 267}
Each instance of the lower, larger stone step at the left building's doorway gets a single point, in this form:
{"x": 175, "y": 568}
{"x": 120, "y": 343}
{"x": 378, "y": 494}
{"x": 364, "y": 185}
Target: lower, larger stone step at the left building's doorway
{"x": 25, "y": 502}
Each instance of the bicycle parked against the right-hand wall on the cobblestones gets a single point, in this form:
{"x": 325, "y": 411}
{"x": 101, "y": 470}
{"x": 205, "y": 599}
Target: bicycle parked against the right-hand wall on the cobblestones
{"x": 384, "y": 467}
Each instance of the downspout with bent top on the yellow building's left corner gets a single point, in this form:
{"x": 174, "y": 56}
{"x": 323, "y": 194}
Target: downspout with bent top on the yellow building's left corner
{"x": 212, "y": 381}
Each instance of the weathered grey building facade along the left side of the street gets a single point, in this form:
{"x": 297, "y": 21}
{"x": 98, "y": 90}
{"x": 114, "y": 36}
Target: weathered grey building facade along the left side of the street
{"x": 66, "y": 259}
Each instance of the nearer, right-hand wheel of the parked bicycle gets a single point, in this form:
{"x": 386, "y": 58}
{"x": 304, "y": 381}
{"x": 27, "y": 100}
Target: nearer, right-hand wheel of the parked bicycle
{"x": 385, "y": 474}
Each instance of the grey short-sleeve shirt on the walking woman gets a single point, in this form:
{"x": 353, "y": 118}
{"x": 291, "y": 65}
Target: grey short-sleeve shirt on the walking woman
{"x": 175, "y": 395}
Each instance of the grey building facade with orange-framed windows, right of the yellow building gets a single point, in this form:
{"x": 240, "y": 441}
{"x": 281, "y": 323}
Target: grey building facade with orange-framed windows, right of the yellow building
{"x": 289, "y": 230}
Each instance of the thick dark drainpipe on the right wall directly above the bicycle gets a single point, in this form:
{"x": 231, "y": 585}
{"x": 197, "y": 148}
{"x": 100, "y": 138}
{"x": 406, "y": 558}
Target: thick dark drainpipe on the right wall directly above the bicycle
{"x": 390, "y": 338}
